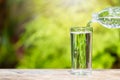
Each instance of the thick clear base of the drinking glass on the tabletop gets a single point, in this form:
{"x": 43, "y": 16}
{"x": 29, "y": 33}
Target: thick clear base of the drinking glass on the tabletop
{"x": 81, "y": 71}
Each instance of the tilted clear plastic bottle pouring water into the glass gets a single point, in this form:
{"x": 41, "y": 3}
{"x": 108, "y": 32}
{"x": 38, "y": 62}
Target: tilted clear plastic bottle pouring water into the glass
{"x": 108, "y": 17}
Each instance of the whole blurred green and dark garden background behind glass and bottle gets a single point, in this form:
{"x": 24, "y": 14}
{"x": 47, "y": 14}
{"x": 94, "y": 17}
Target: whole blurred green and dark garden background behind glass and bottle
{"x": 36, "y": 33}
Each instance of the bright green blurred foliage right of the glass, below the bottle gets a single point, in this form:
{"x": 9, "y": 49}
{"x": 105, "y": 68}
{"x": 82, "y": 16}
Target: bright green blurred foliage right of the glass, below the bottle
{"x": 105, "y": 47}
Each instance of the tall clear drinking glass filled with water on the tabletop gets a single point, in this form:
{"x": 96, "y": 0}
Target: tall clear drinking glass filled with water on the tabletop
{"x": 81, "y": 49}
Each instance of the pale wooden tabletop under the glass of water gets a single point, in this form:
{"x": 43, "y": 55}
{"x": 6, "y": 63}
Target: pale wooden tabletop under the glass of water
{"x": 56, "y": 74}
